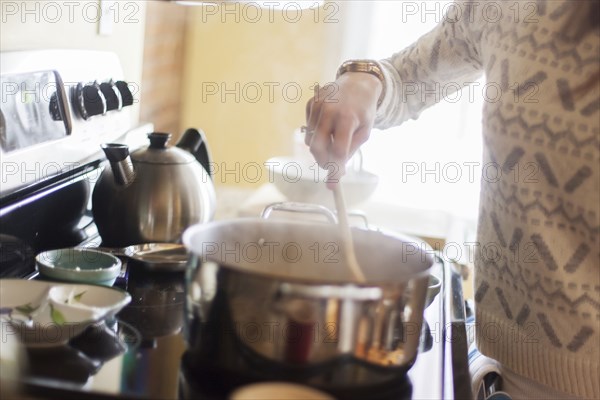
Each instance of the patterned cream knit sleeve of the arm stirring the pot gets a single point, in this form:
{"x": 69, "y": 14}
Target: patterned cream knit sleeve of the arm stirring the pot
{"x": 440, "y": 63}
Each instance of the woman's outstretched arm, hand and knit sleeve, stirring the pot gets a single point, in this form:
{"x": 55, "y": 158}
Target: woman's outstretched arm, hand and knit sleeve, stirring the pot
{"x": 341, "y": 115}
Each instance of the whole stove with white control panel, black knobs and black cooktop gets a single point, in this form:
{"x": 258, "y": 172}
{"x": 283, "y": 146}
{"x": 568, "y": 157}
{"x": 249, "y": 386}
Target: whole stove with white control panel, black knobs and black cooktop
{"x": 57, "y": 108}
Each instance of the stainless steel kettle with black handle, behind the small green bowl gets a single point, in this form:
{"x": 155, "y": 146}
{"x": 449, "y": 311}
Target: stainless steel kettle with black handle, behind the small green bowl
{"x": 155, "y": 193}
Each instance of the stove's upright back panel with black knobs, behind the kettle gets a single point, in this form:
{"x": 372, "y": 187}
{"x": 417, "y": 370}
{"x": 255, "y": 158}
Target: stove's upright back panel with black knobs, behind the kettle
{"x": 57, "y": 107}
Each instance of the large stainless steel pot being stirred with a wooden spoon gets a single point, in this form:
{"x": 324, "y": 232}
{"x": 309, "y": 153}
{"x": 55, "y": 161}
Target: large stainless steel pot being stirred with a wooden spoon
{"x": 282, "y": 292}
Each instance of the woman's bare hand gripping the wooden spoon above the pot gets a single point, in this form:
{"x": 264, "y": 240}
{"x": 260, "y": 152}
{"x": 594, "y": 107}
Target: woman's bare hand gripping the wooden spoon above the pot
{"x": 339, "y": 119}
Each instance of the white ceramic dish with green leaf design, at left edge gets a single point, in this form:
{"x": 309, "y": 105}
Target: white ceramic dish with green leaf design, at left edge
{"x": 46, "y": 314}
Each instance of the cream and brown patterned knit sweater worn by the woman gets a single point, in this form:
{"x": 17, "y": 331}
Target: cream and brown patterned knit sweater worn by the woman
{"x": 537, "y": 273}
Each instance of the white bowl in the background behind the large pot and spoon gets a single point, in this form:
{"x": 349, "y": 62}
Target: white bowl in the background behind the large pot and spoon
{"x": 304, "y": 182}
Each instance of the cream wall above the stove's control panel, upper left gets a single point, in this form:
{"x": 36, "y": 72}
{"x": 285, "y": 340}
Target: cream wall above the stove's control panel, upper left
{"x": 39, "y": 24}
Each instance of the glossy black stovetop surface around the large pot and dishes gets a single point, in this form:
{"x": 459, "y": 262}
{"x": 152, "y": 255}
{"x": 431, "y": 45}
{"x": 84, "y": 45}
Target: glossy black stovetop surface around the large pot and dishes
{"x": 141, "y": 354}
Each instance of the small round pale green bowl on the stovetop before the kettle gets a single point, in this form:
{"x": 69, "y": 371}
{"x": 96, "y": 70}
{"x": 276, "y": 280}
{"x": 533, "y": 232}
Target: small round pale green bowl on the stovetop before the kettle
{"x": 79, "y": 265}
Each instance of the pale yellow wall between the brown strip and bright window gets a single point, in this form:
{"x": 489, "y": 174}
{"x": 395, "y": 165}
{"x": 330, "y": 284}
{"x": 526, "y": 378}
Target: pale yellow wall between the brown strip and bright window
{"x": 273, "y": 50}
